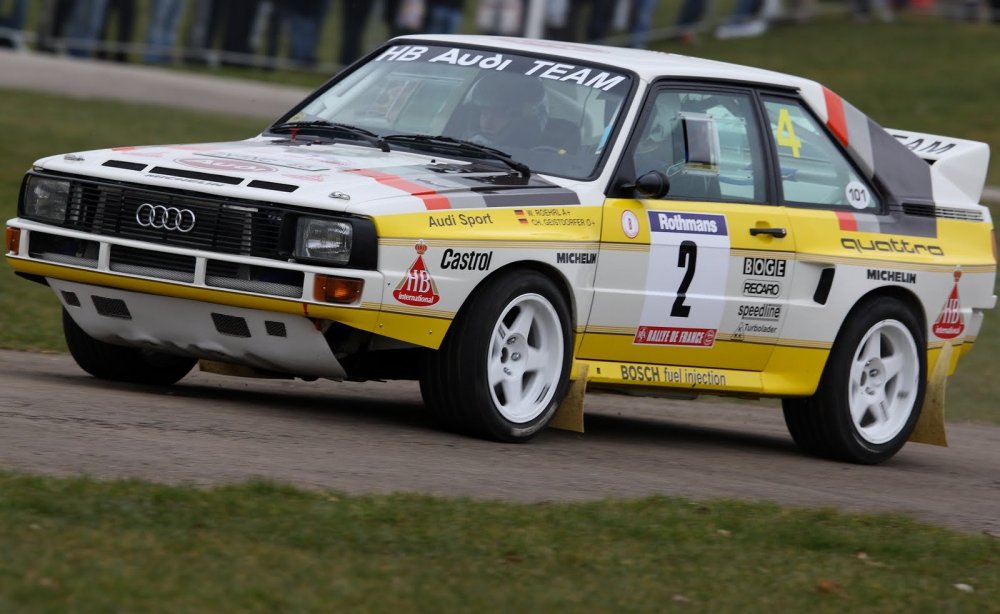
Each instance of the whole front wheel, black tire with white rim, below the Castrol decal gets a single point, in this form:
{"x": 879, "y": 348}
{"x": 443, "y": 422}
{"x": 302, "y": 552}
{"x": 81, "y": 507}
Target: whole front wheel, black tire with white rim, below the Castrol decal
{"x": 504, "y": 366}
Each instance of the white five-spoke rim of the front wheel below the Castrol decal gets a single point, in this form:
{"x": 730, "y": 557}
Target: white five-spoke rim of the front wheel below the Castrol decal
{"x": 525, "y": 359}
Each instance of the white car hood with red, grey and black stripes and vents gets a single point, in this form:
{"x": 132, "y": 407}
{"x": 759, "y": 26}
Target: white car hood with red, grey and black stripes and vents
{"x": 332, "y": 176}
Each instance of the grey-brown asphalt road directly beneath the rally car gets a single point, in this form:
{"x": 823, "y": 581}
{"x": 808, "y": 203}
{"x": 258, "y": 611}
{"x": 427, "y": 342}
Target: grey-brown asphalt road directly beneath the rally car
{"x": 375, "y": 438}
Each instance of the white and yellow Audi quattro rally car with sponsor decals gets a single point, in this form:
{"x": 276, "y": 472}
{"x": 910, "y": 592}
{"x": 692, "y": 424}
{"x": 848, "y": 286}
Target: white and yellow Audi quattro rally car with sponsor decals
{"x": 511, "y": 222}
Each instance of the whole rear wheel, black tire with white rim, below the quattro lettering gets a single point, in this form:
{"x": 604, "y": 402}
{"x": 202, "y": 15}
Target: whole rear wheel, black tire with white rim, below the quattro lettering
{"x": 872, "y": 389}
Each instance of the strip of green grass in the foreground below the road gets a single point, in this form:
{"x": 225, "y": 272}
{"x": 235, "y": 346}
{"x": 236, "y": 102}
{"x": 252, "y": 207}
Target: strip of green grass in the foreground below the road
{"x": 81, "y": 545}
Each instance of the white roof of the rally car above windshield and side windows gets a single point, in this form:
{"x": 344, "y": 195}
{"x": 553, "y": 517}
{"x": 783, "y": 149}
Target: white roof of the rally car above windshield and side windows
{"x": 647, "y": 64}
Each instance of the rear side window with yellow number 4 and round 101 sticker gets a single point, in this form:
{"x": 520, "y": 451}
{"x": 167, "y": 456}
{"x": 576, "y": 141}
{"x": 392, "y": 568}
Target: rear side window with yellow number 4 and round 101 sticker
{"x": 814, "y": 171}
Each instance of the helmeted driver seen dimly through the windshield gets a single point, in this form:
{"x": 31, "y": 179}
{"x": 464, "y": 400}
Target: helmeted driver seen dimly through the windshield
{"x": 511, "y": 110}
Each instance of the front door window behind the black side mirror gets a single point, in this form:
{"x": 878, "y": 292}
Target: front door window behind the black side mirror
{"x": 706, "y": 143}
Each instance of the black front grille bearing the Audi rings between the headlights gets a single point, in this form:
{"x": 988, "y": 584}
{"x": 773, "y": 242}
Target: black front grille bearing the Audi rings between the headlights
{"x": 250, "y": 229}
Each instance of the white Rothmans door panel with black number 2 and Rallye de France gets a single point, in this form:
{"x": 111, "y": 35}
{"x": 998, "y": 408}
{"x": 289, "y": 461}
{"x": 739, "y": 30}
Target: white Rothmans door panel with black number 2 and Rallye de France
{"x": 686, "y": 282}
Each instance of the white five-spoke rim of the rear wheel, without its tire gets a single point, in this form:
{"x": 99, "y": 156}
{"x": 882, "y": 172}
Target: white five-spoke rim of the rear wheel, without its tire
{"x": 884, "y": 381}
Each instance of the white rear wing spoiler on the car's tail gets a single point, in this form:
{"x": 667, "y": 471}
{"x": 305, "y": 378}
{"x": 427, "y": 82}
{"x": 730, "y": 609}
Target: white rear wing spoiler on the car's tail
{"x": 956, "y": 164}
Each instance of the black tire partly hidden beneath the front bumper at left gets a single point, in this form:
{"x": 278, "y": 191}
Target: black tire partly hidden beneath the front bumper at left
{"x": 120, "y": 363}
